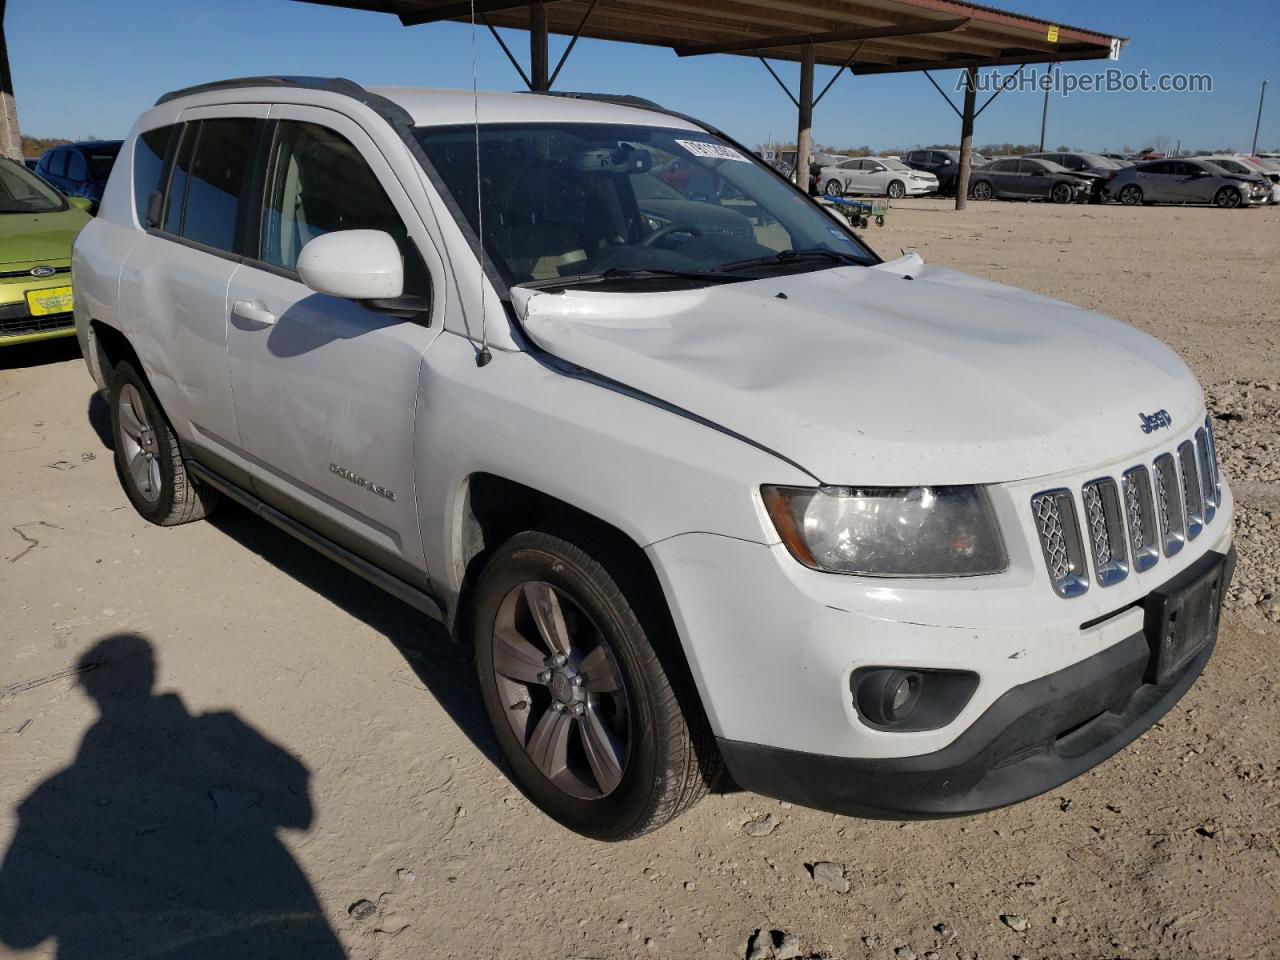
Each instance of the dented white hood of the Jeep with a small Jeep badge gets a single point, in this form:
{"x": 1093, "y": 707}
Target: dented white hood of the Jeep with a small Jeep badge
{"x": 899, "y": 374}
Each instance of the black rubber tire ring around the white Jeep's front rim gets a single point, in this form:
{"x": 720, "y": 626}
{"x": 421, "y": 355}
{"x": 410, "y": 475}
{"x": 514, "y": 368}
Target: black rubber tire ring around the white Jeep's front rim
{"x": 534, "y": 557}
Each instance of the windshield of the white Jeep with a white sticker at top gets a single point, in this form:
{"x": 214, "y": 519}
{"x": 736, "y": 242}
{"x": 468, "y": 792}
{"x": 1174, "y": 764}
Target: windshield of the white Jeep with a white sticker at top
{"x": 565, "y": 202}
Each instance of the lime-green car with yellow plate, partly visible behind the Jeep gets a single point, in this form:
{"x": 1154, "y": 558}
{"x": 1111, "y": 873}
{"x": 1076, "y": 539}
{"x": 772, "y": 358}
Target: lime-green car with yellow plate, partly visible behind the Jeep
{"x": 38, "y": 228}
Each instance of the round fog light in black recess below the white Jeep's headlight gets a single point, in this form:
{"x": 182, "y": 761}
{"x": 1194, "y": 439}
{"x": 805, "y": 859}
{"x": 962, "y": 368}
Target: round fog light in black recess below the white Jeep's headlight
{"x": 900, "y": 700}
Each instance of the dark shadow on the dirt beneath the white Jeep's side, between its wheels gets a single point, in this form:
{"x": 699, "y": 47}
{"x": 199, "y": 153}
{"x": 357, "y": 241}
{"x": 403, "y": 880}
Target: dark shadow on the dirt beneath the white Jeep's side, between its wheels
{"x": 444, "y": 668}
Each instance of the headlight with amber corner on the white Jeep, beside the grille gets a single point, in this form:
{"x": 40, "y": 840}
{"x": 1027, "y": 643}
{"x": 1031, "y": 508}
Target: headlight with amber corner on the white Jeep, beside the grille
{"x": 889, "y": 532}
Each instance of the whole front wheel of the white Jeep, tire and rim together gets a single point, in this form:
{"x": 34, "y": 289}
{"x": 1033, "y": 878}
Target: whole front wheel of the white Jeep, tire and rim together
{"x": 655, "y": 756}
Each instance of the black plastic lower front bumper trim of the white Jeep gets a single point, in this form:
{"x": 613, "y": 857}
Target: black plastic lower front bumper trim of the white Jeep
{"x": 1036, "y": 737}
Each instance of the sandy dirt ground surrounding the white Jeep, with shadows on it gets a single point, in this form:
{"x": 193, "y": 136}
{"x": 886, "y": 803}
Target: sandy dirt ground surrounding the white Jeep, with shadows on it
{"x": 385, "y": 787}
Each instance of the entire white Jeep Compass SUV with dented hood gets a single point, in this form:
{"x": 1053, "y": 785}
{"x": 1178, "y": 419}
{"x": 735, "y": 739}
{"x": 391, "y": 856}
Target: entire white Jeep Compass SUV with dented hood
{"x": 697, "y": 474}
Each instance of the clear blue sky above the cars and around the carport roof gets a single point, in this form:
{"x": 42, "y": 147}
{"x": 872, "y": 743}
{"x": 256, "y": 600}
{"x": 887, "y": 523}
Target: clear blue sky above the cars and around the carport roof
{"x": 84, "y": 74}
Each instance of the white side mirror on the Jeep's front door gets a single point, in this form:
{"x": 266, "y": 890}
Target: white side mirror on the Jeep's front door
{"x": 354, "y": 266}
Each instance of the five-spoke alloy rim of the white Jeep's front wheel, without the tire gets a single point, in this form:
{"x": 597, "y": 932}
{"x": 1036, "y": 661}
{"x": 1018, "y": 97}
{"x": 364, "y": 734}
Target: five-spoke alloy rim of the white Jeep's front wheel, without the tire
{"x": 561, "y": 691}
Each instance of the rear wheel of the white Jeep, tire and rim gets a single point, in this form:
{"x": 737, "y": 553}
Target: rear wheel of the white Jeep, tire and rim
{"x": 148, "y": 458}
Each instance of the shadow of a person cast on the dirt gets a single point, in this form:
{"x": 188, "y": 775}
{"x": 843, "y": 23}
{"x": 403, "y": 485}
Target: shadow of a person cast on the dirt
{"x": 161, "y": 839}
